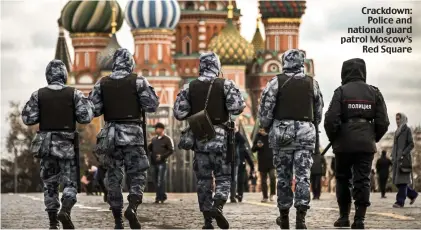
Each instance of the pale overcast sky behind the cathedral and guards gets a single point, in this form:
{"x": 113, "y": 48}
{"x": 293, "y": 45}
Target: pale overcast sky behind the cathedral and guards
{"x": 29, "y": 35}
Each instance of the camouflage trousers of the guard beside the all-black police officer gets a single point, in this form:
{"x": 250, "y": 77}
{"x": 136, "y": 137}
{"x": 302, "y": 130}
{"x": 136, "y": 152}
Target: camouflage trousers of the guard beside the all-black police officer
{"x": 285, "y": 162}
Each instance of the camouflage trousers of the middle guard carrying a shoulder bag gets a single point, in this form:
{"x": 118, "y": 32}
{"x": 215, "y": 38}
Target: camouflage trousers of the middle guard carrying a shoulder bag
{"x": 204, "y": 164}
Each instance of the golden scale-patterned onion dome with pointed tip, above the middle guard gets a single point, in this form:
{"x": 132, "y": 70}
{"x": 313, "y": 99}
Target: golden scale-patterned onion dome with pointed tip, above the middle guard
{"x": 231, "y": 47}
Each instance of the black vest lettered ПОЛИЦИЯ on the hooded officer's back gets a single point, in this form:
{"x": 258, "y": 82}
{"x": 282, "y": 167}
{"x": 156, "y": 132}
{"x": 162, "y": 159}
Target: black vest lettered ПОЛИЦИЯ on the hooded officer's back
{"x": 358, "y": 101}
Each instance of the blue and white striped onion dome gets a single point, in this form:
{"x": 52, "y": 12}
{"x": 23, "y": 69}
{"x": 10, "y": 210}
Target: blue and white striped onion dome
{"x": 149, "y": 14}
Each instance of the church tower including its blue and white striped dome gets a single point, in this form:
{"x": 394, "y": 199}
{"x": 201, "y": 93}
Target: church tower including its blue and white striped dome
{"x": 153, "y": 26}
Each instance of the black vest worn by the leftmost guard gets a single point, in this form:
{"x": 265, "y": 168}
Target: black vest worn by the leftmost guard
{"x": 57, "y": 109}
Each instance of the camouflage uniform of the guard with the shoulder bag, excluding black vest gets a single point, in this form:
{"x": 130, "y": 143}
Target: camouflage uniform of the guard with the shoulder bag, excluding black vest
{"x": 210, "y": 156}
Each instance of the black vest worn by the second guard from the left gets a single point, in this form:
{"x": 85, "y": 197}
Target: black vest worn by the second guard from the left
{"x": 120, "y": 98}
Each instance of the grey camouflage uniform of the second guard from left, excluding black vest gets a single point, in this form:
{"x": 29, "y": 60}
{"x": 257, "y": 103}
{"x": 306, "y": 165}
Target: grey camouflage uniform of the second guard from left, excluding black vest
{"x": 121, "y": 146}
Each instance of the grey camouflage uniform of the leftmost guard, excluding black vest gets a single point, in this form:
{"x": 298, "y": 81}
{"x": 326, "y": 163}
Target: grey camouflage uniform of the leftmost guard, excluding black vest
{"x": 56, "y": 148}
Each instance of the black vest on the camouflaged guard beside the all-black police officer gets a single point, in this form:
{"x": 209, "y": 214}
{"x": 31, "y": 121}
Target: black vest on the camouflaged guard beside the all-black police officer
{"x": 294, "y": 101}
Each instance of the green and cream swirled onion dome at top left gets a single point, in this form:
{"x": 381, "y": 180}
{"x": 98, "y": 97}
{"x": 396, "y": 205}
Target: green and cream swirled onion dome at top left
{"x": 90, "y": 16}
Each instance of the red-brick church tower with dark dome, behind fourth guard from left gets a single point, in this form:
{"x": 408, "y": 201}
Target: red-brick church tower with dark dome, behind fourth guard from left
{"x": 281, "y": 20}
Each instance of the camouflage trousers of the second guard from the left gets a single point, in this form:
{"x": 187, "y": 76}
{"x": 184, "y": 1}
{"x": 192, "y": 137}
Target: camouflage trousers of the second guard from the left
{"x": 134, "y": 160}
